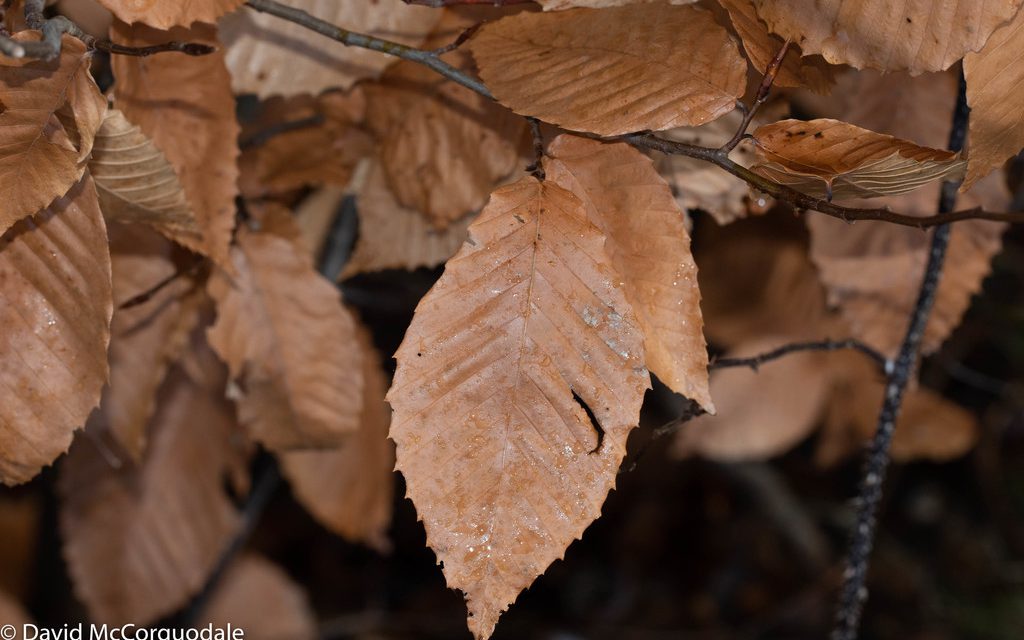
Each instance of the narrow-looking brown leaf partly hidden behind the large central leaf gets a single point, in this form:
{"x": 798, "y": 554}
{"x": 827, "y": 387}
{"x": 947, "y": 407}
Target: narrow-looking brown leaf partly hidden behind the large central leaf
{"x": 647, "y": 239}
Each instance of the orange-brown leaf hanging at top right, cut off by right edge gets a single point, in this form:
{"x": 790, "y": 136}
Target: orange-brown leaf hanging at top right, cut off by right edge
{"x": 994, "y": 75}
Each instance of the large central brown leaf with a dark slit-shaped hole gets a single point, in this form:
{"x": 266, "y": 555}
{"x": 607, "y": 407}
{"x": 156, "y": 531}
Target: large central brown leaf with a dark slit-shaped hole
{"x": 518, "y": 383}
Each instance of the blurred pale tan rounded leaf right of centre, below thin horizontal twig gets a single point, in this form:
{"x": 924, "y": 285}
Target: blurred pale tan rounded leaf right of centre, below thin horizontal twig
{"x": 760, "y": 413}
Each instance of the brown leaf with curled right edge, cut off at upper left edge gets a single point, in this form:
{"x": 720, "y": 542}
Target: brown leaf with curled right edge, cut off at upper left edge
{"x": 50, "y": 112}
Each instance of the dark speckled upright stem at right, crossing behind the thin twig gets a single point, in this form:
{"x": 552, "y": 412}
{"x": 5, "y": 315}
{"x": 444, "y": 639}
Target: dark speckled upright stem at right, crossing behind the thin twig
{"x": 855, "y": 592}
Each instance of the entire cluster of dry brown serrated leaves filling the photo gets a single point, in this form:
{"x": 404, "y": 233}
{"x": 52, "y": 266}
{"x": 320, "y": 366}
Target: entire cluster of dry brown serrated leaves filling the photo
{"x": 525, "y": 368}
